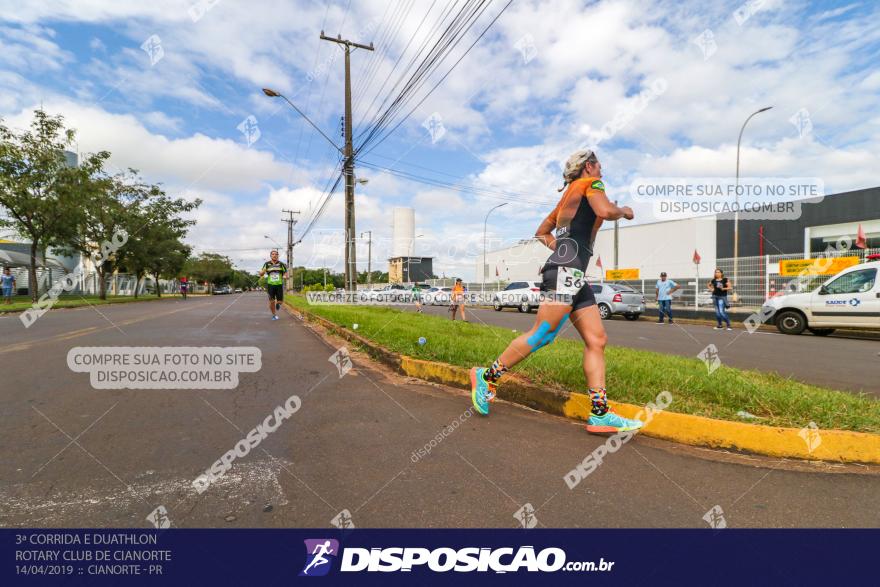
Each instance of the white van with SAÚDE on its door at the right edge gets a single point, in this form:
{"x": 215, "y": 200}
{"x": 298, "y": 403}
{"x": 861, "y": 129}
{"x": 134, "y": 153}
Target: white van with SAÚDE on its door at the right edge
{"x": 850, "y": 299}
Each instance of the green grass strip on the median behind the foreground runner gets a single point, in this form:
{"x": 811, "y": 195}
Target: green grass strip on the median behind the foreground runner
{"x": 633, "y": 376}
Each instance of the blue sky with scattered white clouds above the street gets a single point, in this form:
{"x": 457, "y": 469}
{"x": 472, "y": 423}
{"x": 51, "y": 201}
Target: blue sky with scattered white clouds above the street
{"x": 660, "y": 88}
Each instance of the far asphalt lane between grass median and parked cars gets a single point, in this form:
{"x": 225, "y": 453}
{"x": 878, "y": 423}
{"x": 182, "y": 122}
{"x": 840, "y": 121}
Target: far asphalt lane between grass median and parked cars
{"x": 839, "y": 363}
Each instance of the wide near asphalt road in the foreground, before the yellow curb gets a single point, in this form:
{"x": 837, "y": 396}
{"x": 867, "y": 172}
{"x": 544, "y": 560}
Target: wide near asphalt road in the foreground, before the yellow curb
{"x": 77, "y": 456}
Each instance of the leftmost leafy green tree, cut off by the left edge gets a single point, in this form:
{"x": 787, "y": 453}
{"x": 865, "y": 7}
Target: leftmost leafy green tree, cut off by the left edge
{"x": 39, "y": 190}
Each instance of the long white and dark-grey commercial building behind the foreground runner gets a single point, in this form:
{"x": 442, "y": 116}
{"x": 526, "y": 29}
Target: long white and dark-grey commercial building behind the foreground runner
{"x": 643, "y": 251}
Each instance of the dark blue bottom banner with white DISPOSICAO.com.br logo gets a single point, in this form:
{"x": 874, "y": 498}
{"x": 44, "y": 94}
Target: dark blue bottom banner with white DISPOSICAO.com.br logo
{"x": 428, "y": 557}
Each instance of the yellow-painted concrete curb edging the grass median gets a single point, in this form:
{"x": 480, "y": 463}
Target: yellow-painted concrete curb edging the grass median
{"x": 816, "y": 445}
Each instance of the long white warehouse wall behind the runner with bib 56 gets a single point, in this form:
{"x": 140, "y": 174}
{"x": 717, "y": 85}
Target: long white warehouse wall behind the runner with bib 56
{"x": 652, "y": 248}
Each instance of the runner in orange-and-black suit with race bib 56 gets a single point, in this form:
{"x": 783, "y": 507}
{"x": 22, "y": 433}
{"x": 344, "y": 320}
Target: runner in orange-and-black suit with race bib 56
{"x": 576, "y": 219}
